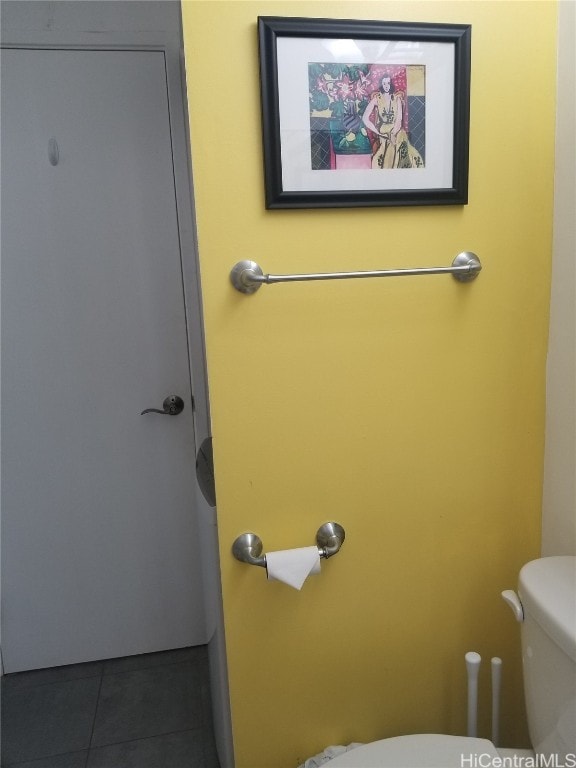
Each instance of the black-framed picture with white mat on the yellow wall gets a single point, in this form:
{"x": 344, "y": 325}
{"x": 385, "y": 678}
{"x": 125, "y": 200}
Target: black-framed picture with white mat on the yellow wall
{"x": 364, "y": 113}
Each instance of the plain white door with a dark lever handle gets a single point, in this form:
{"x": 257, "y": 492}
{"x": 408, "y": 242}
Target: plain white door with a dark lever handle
{"x": 99, "y": 536}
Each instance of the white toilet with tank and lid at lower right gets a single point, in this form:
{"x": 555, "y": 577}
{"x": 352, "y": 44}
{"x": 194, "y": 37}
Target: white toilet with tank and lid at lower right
{"x": 547, "y": 609}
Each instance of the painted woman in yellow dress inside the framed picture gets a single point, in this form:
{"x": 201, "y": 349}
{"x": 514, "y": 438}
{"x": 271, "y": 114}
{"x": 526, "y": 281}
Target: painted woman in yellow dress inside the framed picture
{"x": 384, "y": 117}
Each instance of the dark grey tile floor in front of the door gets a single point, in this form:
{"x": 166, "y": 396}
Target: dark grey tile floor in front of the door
{"x": 149, "y": 711}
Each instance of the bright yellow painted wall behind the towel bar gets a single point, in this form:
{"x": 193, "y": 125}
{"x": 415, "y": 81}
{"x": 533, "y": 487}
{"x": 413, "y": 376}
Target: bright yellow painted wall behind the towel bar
{"x": 409, "y": 410}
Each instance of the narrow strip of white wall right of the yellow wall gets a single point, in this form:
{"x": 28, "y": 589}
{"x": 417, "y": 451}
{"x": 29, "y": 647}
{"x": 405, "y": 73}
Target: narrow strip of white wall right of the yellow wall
{"x": 559, "y": 501}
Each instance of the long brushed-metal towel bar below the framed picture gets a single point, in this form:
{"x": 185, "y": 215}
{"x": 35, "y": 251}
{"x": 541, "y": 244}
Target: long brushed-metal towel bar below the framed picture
{"x": 247, "y": 276}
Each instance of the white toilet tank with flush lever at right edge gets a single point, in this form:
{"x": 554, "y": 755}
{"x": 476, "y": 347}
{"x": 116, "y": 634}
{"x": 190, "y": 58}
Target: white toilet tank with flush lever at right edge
{"x": 547, "y": 590}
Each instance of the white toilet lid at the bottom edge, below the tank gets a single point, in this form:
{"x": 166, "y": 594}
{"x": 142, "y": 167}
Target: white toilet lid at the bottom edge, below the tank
{"x": 430, "y": 750}
